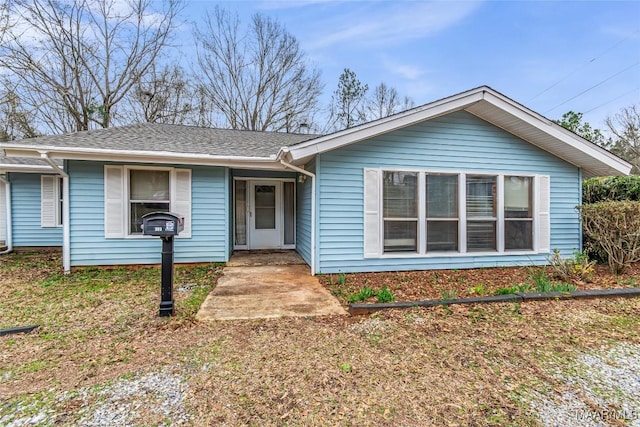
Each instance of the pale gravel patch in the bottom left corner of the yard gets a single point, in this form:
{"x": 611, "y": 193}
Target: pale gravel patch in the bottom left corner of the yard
{"x": 155, "y": 398}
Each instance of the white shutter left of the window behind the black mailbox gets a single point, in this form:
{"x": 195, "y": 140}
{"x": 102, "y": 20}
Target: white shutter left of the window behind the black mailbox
{"x": 114, "y": 202}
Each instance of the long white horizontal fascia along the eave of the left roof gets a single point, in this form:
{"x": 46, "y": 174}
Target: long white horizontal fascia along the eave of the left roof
{"x": 160, "y": 157}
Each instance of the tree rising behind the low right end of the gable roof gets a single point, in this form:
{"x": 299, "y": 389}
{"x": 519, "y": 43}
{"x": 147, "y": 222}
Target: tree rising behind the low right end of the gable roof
{"x": 625, "y": 131}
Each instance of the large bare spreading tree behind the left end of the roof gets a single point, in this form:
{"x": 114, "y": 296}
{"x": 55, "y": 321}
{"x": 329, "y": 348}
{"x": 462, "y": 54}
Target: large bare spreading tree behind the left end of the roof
{"x": 76, "y": 61}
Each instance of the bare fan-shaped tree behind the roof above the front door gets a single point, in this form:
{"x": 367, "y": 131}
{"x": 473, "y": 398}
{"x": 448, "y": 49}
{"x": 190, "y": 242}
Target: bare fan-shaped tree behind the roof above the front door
{"x": 259, "y": 78}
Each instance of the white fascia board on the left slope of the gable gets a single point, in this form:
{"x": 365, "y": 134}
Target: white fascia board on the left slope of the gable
{"x": 388, "y": 124}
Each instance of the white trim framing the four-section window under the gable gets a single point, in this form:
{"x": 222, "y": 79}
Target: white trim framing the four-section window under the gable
{"x": 462, "y": 219}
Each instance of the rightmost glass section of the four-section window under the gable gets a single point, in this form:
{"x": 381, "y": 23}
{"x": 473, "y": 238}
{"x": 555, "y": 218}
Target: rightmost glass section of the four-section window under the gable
{"x": 518, "y": 213}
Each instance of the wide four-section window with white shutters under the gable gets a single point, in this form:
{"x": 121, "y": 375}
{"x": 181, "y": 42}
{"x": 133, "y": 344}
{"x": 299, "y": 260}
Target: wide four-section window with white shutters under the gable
{"x": 412, "y": 212}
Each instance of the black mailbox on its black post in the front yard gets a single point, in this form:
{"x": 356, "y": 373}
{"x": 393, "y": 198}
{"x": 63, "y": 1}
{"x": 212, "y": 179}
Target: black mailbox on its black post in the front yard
{"x": 165, "y": 225}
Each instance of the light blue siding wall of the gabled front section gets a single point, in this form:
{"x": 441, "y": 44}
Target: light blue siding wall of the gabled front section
{"x": 455, "y": 142}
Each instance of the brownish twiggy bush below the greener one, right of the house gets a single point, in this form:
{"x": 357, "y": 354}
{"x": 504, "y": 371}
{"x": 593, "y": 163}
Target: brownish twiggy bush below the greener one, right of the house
{"x": 615, "y": 226}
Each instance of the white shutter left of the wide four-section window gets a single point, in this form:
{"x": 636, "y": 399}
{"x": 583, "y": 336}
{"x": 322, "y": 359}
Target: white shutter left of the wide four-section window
{"x": 372, "y": 246}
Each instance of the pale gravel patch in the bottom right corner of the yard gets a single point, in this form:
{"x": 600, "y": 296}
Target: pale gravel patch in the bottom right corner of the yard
{"x": 599, "y": 389}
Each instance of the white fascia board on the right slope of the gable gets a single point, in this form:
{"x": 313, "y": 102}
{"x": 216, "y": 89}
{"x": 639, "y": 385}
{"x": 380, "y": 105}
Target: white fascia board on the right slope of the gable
{"x": 563, "y": 135}
